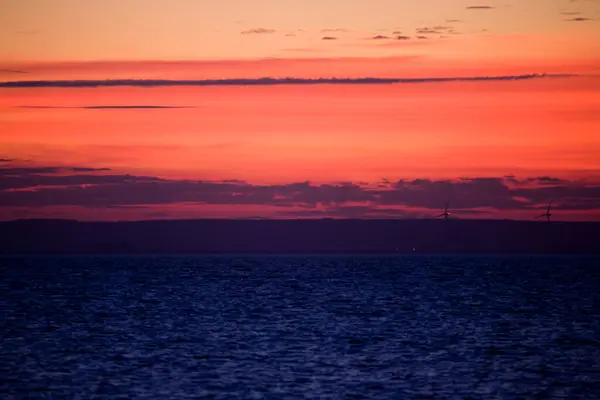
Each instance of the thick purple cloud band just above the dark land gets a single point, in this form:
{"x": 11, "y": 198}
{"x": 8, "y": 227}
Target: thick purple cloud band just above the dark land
{"x": 89, "y": 187}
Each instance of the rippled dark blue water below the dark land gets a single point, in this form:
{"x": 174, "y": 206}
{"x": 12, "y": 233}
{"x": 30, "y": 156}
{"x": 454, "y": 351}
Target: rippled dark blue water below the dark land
{"x": 300, "y": 327}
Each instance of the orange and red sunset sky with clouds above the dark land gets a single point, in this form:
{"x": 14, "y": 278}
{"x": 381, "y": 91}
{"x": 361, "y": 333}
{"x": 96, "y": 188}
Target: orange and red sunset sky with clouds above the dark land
{"x": 153, "y": 109}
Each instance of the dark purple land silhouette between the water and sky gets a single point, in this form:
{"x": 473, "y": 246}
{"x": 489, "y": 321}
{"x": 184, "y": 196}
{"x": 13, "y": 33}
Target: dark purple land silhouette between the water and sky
{"x": 345, "y": 236}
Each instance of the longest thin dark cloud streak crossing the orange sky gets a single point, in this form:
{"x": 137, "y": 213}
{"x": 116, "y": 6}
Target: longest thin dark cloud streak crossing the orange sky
{"x": 264, "y": 81}
